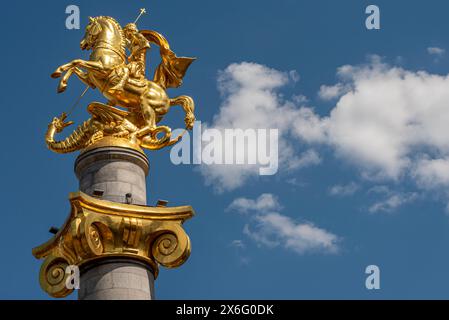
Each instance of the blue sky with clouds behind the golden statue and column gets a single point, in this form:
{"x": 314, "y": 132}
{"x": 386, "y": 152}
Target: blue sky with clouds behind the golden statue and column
{"x": 373, "y": 184}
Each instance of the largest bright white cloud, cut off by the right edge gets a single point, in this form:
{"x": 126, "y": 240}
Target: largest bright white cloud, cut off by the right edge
{"x": 391, "y": 124}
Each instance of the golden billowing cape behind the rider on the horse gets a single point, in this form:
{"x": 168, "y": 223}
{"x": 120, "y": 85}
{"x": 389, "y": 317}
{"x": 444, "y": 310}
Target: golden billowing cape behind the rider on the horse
{"x": 172, "y": 69}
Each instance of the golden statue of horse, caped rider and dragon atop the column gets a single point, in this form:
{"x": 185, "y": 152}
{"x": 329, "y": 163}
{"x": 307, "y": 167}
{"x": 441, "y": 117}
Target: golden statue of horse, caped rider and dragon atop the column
{"x": 121, "y": 79}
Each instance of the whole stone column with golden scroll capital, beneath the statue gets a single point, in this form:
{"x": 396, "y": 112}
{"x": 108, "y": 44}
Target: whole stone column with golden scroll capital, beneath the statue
{"x": 117, "y": 242}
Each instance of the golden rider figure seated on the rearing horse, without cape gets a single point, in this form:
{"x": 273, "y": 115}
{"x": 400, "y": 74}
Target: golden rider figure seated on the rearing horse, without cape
{"x": 137, "y": 44}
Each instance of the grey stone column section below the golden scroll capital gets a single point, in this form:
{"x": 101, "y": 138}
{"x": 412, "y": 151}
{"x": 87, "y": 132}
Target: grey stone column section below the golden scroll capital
{"x": 117, "y": 280}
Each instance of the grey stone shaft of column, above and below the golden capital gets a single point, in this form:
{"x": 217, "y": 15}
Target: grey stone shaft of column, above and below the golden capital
{"x": 116, "y": 174}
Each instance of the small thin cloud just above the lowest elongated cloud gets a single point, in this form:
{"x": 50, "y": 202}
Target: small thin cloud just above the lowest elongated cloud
{"x": 264, "y": 203}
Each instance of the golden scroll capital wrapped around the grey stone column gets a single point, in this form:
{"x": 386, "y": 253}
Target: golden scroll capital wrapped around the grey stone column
{"x": 98, "y": 228}
